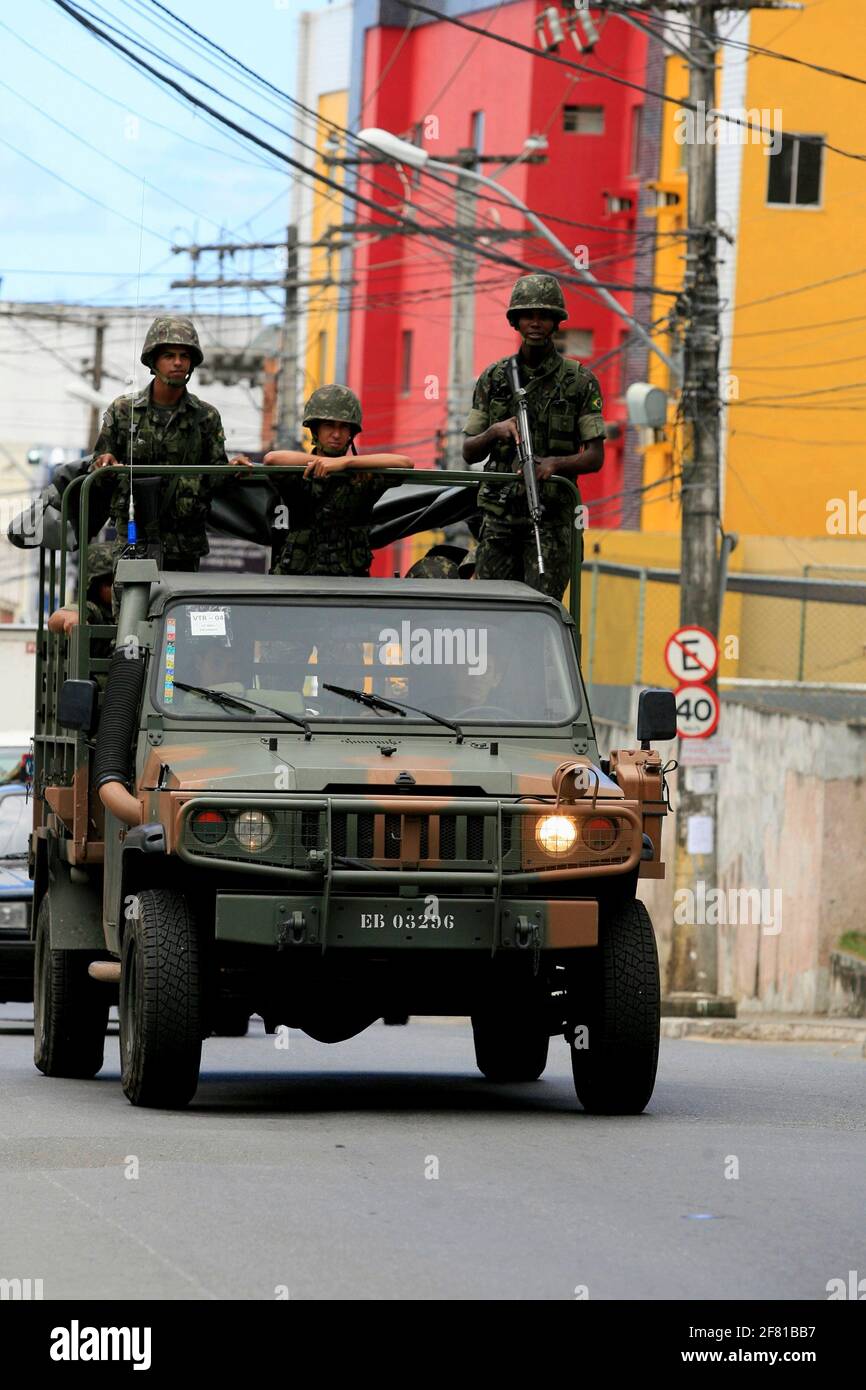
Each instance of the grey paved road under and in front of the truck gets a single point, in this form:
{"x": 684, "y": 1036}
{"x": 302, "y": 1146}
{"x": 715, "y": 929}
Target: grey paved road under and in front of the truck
{"x": 307, "y": 1168}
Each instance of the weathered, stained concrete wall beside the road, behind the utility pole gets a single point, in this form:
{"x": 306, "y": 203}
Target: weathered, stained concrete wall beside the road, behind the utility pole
{"x": 792, "y": 818}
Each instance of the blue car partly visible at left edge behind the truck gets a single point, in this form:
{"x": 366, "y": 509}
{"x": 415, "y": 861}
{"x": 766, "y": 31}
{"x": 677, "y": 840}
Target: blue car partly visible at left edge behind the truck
{"x": 16, "y": 896}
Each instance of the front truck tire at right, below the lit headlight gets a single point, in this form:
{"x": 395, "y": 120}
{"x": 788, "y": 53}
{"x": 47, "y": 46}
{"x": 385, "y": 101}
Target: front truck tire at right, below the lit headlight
{"x": 616, "y": 999}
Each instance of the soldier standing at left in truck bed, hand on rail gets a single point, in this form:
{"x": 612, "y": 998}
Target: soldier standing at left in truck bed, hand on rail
{"x": 166, "y": 425}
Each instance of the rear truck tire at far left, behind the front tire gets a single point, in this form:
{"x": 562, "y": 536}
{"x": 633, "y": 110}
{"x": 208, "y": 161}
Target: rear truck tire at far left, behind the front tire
{"x": 70, "y": 1010}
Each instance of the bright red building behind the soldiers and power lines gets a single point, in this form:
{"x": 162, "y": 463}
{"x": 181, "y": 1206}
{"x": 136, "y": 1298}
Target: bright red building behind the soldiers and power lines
{"x": 452, "y": 91}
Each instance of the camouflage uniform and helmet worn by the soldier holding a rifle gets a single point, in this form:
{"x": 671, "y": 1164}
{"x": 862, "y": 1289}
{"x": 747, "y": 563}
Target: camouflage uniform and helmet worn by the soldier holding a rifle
{"x": 565, "y": 408}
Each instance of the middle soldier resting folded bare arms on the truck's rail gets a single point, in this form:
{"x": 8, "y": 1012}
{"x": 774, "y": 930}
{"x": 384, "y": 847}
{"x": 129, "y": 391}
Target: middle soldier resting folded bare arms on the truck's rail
{"x": 330, "y": 507}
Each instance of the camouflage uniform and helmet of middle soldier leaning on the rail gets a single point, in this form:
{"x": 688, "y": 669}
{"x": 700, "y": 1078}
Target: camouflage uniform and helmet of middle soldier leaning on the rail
{"x": 329, "y": 518}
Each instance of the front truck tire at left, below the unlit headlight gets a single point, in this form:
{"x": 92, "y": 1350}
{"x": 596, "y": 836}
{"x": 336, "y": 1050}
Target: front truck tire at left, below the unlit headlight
{"x": 161, "y": 1003}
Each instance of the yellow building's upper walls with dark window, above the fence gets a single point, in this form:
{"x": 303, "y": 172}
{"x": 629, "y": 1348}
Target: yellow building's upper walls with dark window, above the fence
{"x": 794, "y": 281}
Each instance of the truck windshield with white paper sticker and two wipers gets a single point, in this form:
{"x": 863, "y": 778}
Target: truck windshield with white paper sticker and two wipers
{"x": 489, "y": 665}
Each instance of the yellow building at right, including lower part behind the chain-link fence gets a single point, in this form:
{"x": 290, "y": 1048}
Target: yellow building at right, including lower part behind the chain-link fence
{"x": 793, "y": 288}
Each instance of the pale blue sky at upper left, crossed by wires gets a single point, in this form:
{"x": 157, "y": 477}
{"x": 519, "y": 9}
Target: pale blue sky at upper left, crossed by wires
{"x": 62, "y": 87}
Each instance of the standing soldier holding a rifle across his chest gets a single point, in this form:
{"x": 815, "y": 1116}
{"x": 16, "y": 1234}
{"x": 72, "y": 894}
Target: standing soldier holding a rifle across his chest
{"x": 565, "y": 407}
